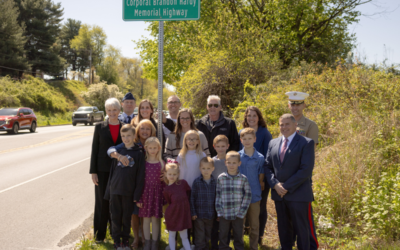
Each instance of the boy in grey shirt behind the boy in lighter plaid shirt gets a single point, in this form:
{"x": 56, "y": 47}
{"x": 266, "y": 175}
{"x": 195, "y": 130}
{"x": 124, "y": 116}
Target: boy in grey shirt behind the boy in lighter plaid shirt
{"x": 221, "y": 145}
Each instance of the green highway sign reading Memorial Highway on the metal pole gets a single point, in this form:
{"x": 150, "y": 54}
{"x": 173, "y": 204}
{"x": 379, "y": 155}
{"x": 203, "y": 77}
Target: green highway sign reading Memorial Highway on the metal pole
{"x": 160, "y": 10}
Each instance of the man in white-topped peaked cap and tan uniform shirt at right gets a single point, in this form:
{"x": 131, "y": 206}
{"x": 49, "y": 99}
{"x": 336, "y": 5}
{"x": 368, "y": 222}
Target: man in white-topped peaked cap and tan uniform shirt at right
{"x": 306, "y": 128}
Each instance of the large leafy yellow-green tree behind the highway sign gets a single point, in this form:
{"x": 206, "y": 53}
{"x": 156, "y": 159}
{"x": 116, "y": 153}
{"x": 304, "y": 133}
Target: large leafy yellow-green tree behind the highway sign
{"x": 307, "y": 30}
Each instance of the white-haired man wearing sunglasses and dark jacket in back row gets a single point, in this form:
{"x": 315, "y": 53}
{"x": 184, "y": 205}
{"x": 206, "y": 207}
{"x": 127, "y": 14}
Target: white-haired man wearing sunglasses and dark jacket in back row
{"x": 215, "y": 123}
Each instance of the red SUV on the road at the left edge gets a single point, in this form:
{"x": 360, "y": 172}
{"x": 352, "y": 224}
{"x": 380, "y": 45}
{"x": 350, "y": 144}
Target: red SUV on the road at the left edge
{"x": 14, "y": 119}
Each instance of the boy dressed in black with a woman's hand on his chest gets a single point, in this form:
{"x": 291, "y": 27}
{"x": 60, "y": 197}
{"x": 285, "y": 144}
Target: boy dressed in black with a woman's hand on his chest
{"x": 125, "y": 186}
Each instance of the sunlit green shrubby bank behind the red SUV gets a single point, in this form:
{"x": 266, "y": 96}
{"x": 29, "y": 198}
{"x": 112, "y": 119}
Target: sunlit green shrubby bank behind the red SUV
{"x": 53, "y": 102}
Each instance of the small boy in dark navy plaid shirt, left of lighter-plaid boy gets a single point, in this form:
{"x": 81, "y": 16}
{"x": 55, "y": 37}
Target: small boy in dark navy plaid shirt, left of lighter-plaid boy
{"x": 202, "y": 203}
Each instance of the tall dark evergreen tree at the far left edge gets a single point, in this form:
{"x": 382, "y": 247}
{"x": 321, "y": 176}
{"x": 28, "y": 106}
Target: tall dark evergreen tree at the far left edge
{"x": 12, "y": 40}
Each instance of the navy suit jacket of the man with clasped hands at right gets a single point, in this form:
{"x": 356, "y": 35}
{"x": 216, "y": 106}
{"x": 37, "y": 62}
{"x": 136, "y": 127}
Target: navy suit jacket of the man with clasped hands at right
{"x": 295, "y": 171}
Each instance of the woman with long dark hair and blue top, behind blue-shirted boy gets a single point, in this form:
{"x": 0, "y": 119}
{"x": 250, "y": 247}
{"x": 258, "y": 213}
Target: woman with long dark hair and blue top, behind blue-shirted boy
{"x": 253, "y": 119}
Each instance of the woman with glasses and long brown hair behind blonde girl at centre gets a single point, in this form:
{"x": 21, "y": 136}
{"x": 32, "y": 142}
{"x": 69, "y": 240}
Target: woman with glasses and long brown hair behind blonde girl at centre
{"x": 185, "y": 122}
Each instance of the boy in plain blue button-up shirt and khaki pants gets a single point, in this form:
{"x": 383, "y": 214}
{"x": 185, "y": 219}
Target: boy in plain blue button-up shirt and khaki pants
{"x": 252, "y": 166}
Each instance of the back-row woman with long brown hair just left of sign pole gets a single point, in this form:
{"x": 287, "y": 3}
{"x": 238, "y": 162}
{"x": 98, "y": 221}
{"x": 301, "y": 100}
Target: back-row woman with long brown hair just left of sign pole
{"x": 146, "y": 111}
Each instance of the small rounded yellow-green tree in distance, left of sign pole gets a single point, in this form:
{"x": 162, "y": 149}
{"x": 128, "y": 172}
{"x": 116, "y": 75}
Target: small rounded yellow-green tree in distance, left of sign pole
{"x": 108, "y": 69}
